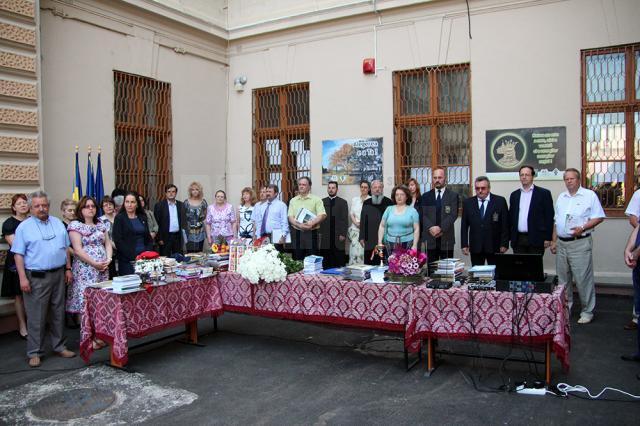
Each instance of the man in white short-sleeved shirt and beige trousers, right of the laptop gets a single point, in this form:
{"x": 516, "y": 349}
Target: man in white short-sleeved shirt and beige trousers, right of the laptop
{"x": 578, "y": 212}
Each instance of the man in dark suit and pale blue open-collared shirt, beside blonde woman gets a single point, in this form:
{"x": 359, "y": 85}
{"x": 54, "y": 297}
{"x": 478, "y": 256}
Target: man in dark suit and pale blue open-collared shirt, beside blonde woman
{"x": 169, "y": 214}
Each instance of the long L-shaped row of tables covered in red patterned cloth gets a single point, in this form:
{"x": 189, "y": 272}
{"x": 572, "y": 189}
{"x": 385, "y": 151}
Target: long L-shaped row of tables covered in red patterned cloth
{"x": 418, "y": 312}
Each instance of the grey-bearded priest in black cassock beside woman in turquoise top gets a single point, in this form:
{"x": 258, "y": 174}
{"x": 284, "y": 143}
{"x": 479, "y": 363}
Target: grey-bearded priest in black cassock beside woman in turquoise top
{"x": 370, "y": 218}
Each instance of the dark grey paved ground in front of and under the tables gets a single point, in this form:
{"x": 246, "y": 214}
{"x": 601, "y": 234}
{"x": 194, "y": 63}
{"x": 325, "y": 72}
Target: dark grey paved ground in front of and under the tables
{"x": 264, "y": 371}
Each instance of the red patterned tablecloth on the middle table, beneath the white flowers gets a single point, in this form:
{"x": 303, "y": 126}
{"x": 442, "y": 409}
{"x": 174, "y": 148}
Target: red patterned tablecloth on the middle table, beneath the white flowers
{"x": 329, "y": 299}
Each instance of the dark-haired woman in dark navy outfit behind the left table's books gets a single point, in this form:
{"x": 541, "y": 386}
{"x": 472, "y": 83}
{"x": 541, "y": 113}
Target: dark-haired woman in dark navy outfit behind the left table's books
{"x": 130, "y": 233}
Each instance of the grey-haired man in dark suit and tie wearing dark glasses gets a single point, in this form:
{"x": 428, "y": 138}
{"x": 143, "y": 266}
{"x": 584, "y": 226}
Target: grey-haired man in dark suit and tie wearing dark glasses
{"x": 485, "y": 224}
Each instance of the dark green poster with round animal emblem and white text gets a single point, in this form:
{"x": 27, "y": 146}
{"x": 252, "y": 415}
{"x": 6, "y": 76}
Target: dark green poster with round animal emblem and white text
{"x": 543, "y": 148}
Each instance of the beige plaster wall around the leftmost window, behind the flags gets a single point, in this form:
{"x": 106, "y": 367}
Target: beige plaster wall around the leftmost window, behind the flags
{"x": 79, "y": 56}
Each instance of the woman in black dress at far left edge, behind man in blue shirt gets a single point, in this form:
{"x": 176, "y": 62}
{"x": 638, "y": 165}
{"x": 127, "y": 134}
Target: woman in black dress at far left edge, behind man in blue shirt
{"x": 10, "y": 281}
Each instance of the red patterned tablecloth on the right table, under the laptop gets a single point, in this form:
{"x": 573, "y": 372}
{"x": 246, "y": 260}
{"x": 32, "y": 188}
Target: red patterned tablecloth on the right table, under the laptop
{"x": 493, "y": 316}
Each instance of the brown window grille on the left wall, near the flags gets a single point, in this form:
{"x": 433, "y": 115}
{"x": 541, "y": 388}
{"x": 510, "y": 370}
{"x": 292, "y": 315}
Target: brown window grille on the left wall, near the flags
{"x": 143, "y": 153}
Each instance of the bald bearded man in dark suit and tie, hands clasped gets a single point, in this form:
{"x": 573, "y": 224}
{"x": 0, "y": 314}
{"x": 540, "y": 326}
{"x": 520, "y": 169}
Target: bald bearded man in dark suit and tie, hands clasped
{"x": 438, "y": 212}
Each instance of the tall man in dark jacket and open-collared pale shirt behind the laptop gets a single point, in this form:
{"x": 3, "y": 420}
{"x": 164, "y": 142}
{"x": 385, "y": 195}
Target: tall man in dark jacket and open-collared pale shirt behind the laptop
{"x": 530, "y": 215}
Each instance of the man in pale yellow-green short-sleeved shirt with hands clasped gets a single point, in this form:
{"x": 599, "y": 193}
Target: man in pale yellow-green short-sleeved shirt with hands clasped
{"x": 304, "y": 231}
